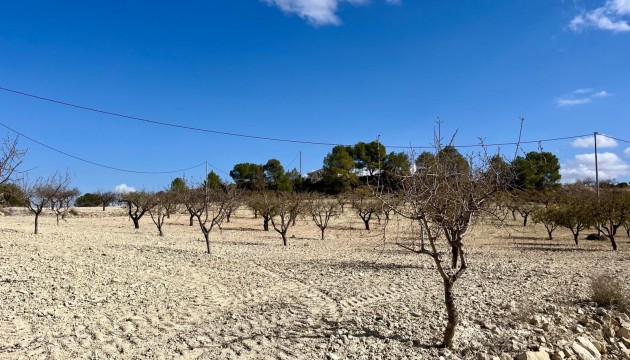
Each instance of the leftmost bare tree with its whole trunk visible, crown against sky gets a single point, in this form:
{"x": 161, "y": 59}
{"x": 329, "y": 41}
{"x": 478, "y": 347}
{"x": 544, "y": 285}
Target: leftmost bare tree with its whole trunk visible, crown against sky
{"x": 41, "y": 192}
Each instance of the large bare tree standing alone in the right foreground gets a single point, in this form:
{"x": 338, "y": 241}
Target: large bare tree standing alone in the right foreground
{"x": 445, "y": 199}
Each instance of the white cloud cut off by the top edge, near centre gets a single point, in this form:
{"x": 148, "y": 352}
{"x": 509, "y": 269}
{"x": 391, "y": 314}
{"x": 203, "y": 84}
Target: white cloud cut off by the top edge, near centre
{"x": 317, "y": 12}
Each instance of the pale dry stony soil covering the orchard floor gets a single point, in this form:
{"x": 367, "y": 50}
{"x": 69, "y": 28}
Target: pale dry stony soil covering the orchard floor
{"x": 94, "y": 287}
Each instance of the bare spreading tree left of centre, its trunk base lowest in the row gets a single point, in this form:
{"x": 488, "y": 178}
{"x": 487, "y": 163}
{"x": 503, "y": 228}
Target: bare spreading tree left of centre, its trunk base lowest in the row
{"x": 210, "y": 207}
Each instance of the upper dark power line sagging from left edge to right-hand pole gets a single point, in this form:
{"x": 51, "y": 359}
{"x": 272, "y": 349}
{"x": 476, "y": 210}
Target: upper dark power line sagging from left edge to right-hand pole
{"x": 249, "y": 136}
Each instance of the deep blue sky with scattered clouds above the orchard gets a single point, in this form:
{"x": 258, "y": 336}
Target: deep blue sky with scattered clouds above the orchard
{"x": 316, "y": 70}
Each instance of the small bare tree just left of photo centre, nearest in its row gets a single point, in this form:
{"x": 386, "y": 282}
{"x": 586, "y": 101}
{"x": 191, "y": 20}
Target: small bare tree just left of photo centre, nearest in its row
{"x": 285, "y": 208}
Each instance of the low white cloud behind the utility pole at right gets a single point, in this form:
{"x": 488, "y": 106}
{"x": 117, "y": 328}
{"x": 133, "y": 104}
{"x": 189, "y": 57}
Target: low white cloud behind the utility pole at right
{"x": 610, "y": 166}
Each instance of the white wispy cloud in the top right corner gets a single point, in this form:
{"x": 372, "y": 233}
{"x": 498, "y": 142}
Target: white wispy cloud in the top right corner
{"x": 612, "y": 16}
